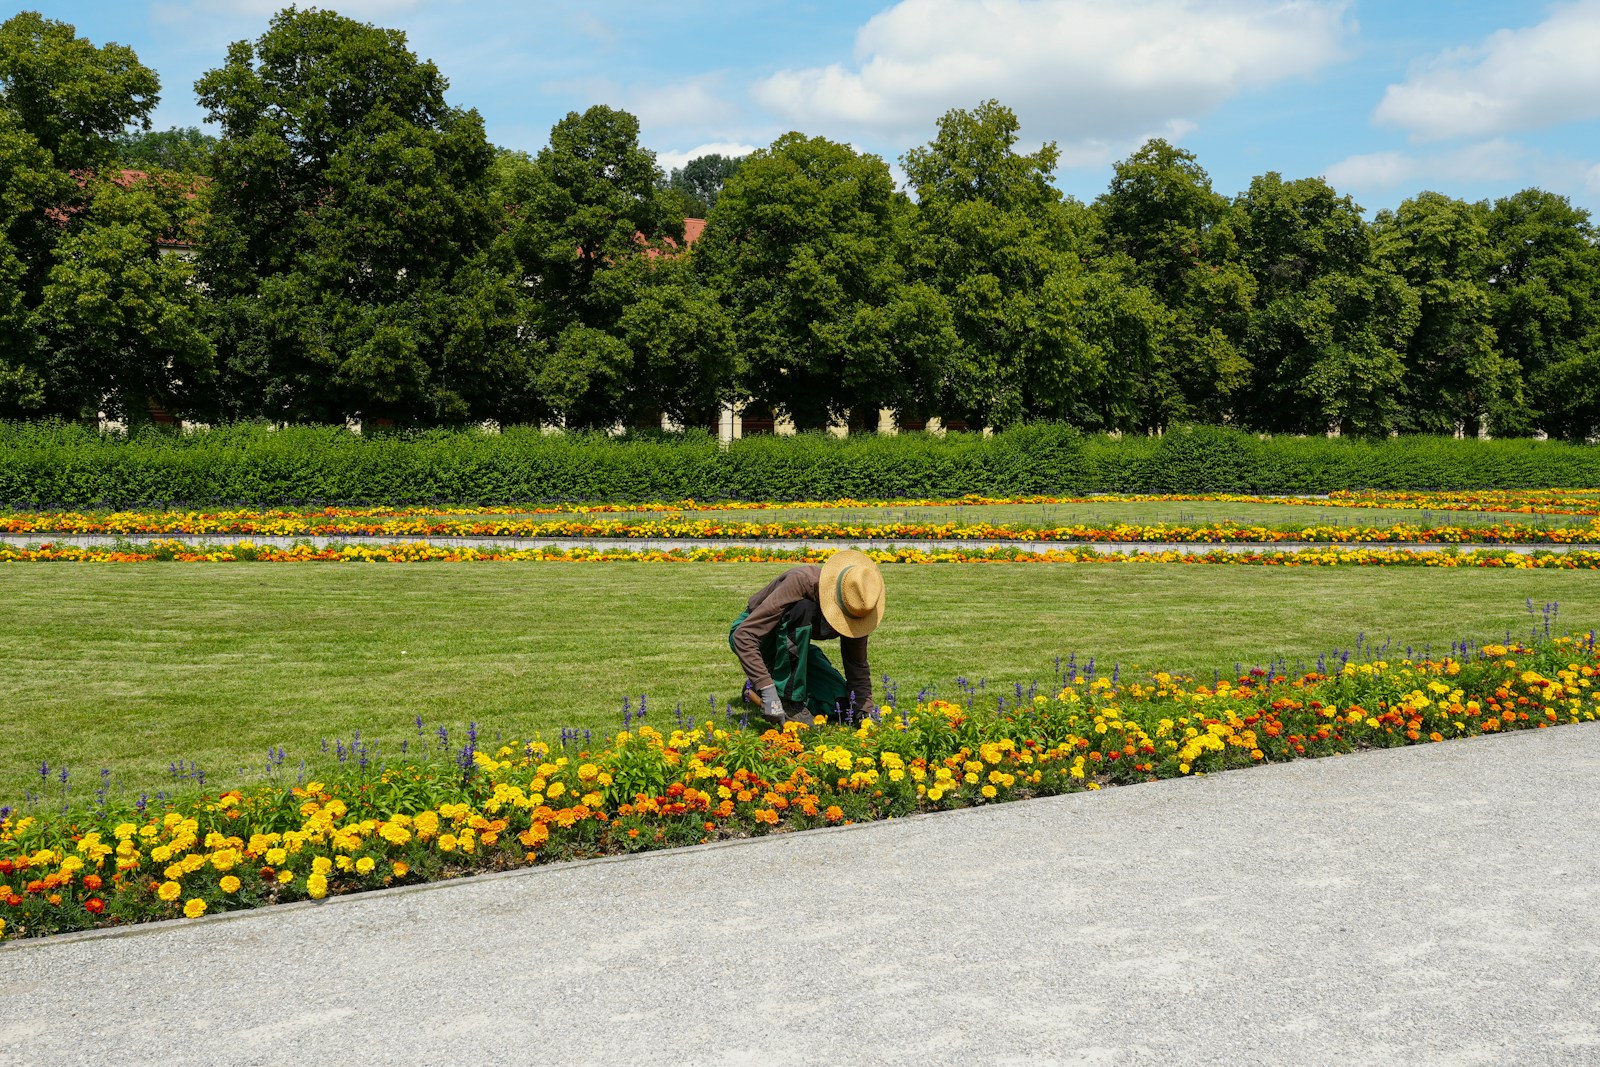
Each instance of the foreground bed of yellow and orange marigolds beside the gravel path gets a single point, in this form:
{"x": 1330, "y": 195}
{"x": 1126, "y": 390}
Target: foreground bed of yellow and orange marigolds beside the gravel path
{"x": 439, "y": 812}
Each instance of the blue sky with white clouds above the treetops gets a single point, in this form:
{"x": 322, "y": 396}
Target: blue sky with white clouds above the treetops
{"x": 1471, "y": 98}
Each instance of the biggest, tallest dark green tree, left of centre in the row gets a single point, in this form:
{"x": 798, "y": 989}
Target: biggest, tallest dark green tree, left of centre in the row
{"x": 353, "y": 250}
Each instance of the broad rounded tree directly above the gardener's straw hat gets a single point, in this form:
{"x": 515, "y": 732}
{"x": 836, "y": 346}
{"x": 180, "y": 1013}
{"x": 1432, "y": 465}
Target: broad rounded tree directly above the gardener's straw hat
{"x": 804, "y": 252}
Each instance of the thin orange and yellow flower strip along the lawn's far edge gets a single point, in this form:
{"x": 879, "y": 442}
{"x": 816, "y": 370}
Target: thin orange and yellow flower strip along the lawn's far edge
{"x": 425, "y": 553}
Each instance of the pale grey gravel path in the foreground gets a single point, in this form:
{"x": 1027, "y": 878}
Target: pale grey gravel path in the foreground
{"x": 1423, "y": 906}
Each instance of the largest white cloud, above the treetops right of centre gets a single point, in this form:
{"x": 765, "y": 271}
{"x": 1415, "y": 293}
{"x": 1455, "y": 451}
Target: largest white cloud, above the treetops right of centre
{"x": 1092, "y": 74}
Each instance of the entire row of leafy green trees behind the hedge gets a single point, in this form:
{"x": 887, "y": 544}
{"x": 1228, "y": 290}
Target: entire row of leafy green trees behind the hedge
{"x": 364, "y": 252}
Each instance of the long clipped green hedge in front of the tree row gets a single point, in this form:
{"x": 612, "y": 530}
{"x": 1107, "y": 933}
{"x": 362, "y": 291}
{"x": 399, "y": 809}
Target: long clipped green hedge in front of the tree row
{"x": 70, "y": 466}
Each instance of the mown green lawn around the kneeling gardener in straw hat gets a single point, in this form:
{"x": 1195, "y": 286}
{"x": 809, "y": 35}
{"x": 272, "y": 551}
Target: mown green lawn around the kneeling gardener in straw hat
{"x": 130, "y": 668}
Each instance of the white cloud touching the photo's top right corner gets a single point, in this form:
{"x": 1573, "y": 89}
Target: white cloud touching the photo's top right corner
{"x": 1527, "y": 79}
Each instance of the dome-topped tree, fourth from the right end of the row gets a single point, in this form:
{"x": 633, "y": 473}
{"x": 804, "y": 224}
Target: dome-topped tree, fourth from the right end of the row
{"x": 1174, "y": 234}
